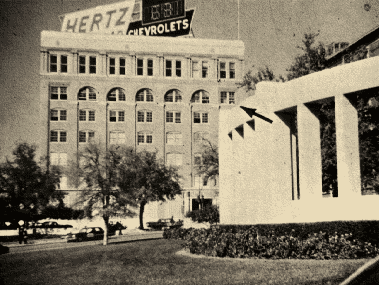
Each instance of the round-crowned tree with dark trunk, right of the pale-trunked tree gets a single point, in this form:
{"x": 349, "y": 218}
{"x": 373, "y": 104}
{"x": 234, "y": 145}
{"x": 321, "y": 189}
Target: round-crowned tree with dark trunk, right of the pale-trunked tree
{"x": 149, "y": 179}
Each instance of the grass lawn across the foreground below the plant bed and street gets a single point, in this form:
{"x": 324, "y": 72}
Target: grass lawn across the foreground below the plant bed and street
{"x": 156, "y": 262}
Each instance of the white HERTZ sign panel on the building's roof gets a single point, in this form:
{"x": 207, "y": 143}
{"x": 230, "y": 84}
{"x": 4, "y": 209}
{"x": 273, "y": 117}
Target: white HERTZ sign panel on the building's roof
{"x": 107, "y": 19}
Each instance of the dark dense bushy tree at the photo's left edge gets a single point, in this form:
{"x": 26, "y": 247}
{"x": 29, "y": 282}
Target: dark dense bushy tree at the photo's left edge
{"x": 27, "y": 187}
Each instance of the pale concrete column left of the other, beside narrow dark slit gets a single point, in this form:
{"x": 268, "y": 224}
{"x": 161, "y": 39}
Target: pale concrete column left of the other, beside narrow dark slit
{"x": 310, "y": 167}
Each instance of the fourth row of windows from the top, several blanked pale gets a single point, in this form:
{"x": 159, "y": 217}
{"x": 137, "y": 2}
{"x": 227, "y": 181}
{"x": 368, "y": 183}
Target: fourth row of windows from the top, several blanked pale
{"x": 118, "y": 137}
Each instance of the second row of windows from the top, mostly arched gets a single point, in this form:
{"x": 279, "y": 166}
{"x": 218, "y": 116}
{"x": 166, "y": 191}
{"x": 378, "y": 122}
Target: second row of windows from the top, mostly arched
{"x": 144, "y": 95}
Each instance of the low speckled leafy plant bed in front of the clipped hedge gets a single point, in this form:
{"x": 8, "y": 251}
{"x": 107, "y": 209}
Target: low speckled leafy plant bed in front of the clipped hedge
{"x": 247, "y": 243}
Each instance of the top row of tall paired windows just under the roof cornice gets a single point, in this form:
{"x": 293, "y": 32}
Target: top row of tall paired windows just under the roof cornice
{"x": 87, "y": 64}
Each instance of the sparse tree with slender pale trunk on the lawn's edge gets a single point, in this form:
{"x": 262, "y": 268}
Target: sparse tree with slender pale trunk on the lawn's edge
{"x": 97, "y": 174}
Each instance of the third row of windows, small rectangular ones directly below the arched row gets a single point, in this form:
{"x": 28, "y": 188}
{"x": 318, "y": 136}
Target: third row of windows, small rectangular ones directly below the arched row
{"x": 143, "y": 116}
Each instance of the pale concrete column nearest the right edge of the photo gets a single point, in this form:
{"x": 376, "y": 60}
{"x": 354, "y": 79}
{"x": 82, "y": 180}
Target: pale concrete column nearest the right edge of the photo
{"x": 347, "y": 141}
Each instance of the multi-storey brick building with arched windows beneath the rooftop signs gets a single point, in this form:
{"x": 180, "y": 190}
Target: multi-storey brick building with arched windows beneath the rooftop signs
{"x": 146, "y": 92}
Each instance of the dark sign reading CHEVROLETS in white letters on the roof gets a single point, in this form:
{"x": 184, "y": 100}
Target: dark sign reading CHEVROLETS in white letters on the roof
{"x": 169, "y": 28}
